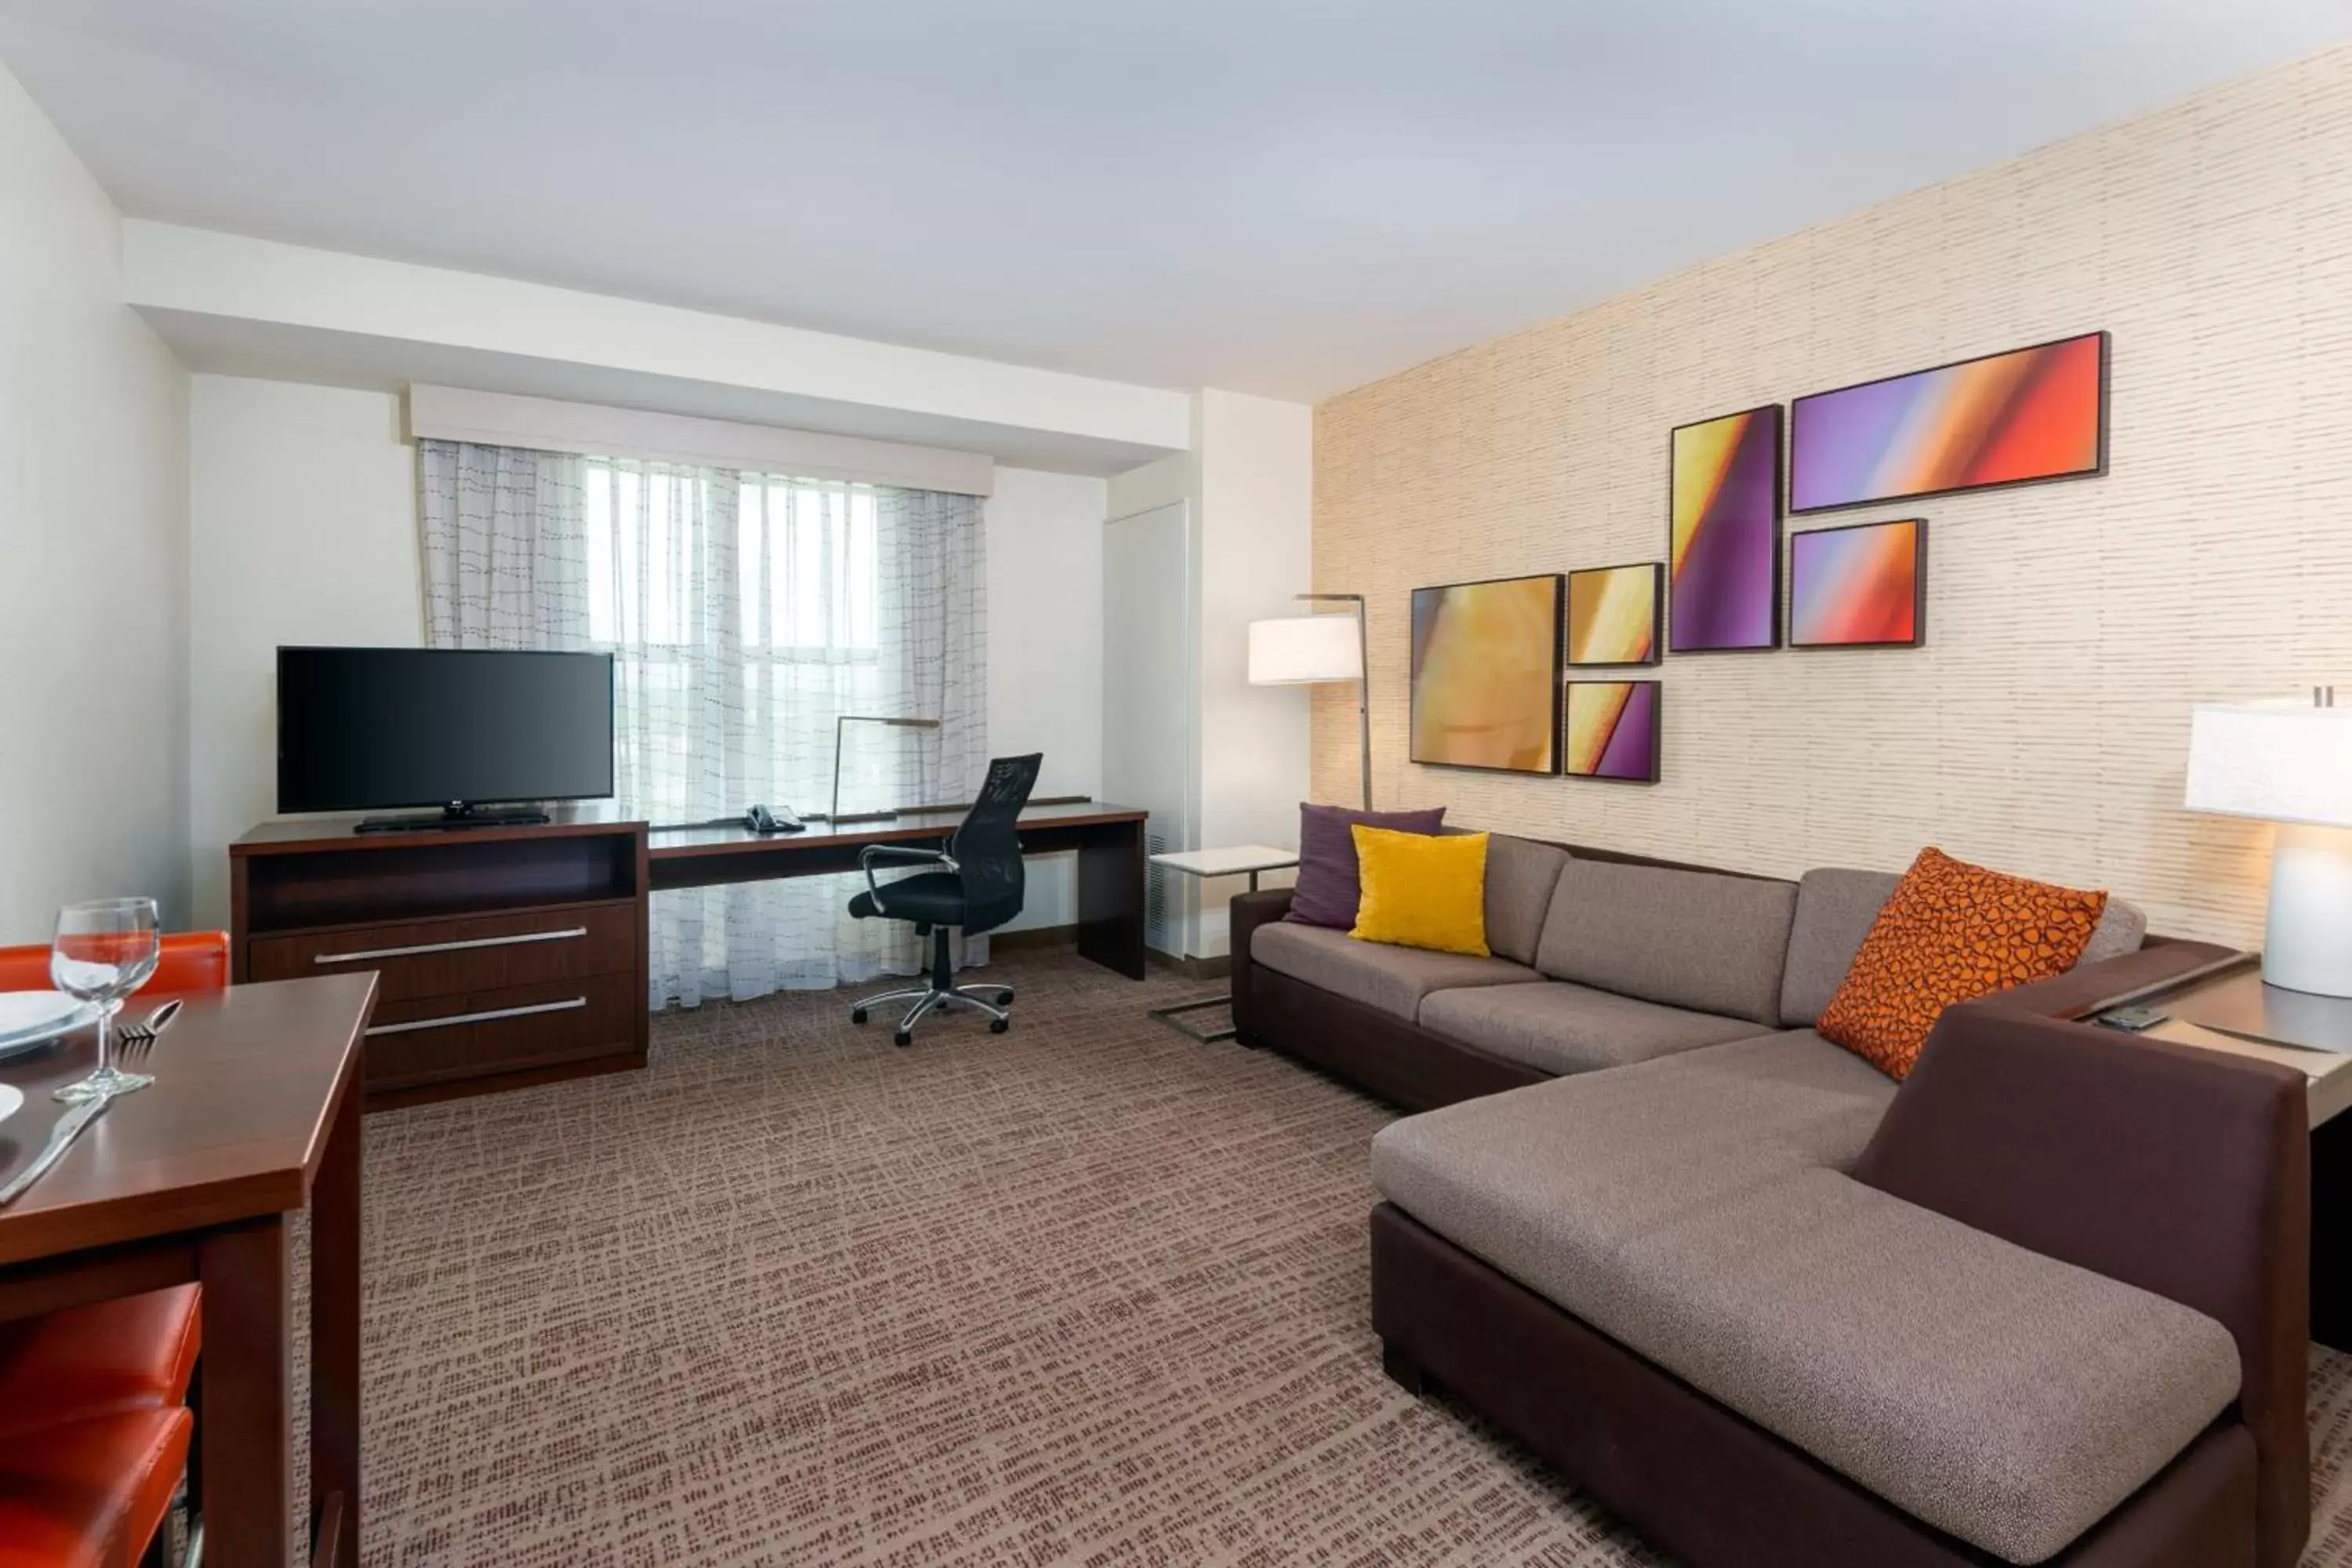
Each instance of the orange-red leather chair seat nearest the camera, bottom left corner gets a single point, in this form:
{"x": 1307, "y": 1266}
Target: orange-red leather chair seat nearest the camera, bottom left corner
{"x": 91, "y": 1494}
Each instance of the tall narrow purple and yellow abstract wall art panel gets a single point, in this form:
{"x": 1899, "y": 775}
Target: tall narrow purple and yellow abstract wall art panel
{"x": 1725, "y": 535}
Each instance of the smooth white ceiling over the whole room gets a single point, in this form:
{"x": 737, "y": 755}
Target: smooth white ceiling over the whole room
{"x": 1274, "y": 196}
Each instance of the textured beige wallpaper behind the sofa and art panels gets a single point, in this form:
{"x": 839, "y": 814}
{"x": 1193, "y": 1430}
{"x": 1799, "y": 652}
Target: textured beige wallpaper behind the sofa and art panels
{"x": 2069, "y": 624}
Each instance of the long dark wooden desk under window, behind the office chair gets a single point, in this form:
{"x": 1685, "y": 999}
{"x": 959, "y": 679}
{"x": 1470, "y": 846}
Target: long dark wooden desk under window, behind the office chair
{"x": 1109, "y": 843}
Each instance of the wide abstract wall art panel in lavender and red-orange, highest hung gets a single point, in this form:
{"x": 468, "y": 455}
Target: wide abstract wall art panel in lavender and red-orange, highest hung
{"x": 2003, "y": 420}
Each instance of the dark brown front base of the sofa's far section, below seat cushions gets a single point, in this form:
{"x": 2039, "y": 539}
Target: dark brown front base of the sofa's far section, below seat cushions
{"x": 1368, "y": 1047}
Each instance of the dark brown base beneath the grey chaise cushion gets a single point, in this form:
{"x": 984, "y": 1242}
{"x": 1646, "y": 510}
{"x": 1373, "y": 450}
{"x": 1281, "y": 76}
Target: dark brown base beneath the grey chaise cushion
{"x": 1704, "y": 1482}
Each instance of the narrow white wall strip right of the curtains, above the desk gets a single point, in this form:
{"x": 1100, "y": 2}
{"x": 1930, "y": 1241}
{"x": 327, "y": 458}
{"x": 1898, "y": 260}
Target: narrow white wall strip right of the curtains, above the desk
{"x": 1045, "y": 650}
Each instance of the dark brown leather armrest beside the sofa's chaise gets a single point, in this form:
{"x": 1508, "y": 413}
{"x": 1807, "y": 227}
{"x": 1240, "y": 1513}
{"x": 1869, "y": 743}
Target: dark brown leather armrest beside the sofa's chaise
{"x": 2174, "y": 1170}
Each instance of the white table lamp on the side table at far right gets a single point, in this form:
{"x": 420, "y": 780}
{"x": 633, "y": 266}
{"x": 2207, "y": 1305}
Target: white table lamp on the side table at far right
{"x": 2290, "y": 763}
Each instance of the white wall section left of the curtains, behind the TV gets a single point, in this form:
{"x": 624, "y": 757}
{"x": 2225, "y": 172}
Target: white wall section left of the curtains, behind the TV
{"x": 302, "y": 525}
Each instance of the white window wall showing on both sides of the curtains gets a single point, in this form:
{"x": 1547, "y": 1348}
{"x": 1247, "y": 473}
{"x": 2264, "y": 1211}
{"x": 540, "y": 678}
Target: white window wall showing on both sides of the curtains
{"x": 302, "y": 525}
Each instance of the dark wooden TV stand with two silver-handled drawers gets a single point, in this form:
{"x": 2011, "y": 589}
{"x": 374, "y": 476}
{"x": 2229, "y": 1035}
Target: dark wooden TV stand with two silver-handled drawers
{"x": 507, "y": 956}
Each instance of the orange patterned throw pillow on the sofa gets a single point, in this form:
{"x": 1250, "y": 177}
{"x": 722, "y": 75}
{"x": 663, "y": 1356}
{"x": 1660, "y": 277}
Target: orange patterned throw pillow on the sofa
{"x": 1946, "y": 934}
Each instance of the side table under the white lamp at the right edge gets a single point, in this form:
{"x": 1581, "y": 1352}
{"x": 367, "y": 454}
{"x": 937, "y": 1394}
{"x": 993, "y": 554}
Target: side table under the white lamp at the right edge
{"x": 2231, "y": 1010}
